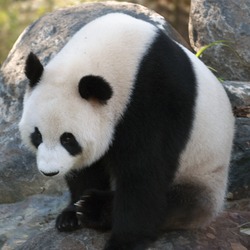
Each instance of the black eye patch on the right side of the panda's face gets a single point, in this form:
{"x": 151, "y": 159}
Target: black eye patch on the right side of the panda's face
{"x": 70, "y": 143}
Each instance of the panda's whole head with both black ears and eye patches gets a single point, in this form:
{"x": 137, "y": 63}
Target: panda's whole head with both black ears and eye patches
{"x": 69, "y": 129}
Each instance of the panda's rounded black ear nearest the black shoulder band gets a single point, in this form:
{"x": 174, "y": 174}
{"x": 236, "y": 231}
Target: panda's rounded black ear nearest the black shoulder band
{"x": 95, "y": 87}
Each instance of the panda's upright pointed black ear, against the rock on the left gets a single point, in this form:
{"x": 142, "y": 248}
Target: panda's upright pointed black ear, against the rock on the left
{"x": 33, "y": 69}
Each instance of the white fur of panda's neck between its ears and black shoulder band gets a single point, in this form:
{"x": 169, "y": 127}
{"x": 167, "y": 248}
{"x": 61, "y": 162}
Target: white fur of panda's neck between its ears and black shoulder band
{"x": 111, "y": 46}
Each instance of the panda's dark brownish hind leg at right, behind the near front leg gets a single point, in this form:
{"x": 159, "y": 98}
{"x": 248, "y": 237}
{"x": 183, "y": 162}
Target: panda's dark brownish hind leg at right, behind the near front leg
{"x": 190, "y": 206}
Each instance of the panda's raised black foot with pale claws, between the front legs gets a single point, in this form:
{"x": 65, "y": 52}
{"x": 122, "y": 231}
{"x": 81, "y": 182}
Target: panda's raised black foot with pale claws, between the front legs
{"x": 94, "y": 209}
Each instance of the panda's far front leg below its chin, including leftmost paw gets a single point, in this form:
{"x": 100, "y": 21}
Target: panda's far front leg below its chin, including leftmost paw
{"x": 80, "y": 182}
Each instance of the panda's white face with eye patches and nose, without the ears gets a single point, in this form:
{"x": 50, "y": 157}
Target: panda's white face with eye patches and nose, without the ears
{"x": 56, "y": 130}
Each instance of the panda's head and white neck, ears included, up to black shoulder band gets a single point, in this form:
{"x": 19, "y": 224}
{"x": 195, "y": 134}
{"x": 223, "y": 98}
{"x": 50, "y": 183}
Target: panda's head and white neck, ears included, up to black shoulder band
{"x": 74, "y": 103}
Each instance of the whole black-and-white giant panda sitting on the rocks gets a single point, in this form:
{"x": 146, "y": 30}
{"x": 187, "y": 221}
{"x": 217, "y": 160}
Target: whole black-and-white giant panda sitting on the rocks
{"x": 139, "y": 127}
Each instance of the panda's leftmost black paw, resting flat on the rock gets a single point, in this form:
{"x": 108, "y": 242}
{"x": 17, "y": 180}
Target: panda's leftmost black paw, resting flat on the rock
{"x": 67, "y": 220}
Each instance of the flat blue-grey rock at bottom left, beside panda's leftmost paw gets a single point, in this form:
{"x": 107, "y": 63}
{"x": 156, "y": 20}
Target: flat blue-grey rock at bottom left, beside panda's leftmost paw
{"x": 22, "y": 220}
